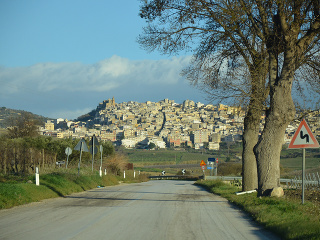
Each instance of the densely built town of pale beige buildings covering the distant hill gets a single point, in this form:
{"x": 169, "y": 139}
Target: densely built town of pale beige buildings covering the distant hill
{"x": 163, "y": 124}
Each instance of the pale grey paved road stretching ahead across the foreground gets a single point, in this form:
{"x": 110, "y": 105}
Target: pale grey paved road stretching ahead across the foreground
{"x": 151, "y": 210}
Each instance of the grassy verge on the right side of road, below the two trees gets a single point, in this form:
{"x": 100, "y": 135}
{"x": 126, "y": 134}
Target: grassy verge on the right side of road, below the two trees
{"x": 287, "y": 218}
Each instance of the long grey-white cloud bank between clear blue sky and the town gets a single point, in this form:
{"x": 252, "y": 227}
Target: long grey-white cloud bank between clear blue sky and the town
{"x": 69, "y": 90}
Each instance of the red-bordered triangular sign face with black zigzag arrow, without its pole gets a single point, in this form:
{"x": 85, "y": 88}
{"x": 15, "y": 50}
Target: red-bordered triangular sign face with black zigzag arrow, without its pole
{"x": 303, "y": 137}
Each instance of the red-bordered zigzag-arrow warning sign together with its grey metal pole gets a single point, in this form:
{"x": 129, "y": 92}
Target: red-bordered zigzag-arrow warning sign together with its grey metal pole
{"x": 303, "y": 138}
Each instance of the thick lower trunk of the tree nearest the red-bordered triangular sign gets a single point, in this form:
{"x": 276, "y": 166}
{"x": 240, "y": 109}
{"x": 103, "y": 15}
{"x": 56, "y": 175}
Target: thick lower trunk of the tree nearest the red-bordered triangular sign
{"x": 268, "y": 149}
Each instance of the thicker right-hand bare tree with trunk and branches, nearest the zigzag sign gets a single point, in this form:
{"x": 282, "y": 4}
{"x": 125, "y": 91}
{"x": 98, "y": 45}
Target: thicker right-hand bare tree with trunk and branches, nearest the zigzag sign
{"x": 290, "y": 30}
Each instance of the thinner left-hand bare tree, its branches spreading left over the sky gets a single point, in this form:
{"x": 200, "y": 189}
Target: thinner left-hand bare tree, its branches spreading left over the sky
{"x": 229, "y": 59}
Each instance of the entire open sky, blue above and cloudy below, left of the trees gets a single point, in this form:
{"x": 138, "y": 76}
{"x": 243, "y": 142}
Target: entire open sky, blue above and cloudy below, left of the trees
{"x": 62, "y": 58}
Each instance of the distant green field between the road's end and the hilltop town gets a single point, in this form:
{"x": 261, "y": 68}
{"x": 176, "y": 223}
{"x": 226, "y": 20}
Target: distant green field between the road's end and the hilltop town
{"x": 291, "y": 159}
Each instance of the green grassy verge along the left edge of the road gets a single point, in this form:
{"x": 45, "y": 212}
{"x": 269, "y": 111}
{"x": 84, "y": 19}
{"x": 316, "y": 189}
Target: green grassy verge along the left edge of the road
{"x": 17, "y": 191}
